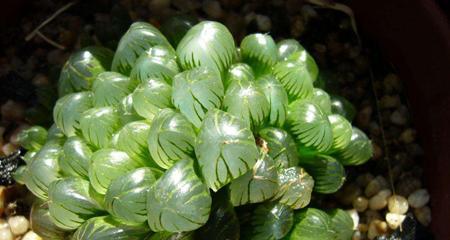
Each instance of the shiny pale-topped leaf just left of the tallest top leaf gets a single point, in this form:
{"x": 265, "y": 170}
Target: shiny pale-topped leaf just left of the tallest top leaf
{"x": 158, "y": 62}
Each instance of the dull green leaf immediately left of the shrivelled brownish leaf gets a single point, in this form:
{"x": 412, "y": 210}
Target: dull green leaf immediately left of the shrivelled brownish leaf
{"x": 257, "y": 185}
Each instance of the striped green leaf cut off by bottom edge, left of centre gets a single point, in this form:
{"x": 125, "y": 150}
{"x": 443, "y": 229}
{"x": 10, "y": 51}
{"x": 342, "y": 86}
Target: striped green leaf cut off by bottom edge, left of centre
{"x": 106, "y": 228}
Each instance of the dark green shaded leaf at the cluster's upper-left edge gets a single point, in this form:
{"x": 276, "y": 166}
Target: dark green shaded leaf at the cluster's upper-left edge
{"x": 82, "y": 68}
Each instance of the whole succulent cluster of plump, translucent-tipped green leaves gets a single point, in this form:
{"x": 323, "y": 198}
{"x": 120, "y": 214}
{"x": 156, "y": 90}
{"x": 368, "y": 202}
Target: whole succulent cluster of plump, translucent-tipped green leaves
{"x": 165, "y": 139}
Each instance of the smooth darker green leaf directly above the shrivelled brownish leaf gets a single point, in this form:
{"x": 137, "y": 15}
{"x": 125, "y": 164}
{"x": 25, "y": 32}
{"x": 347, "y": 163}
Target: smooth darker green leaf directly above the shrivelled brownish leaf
{"x": 282, "y": 147}
